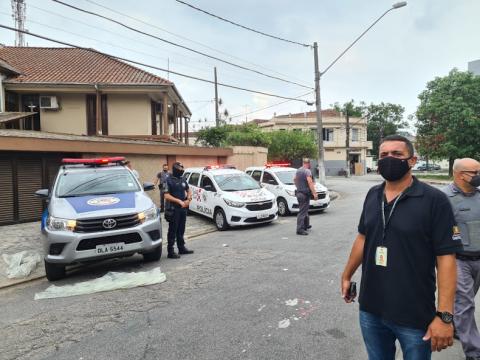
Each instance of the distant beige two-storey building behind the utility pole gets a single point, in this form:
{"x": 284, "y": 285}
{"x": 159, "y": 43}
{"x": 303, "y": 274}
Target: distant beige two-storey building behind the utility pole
{"x": 334, "y": 137}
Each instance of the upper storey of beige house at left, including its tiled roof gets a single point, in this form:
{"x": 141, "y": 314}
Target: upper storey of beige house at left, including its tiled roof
{"x": 83, "y": 92}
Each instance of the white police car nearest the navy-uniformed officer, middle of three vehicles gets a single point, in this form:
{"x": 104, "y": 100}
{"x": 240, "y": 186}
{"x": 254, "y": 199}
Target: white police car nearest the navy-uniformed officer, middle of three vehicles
{"x": 229, "y": 197}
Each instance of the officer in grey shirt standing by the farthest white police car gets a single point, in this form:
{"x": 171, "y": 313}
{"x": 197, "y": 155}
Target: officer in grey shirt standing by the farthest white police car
{"x": 305, "y": 191}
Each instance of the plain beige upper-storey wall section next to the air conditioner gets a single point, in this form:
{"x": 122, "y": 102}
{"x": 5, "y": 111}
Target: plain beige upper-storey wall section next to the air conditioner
{"x": 70, "y": 119}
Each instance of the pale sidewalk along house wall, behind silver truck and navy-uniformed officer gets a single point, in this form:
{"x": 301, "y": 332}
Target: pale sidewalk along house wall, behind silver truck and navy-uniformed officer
{"x": 20, "y": 237}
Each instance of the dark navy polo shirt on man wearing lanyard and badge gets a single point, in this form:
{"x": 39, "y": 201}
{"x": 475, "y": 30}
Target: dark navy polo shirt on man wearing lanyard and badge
{"x": 421, "y": 228}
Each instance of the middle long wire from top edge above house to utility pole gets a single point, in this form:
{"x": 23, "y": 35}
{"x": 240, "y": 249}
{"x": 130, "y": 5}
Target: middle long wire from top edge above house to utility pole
{"x": 178, "y": 45}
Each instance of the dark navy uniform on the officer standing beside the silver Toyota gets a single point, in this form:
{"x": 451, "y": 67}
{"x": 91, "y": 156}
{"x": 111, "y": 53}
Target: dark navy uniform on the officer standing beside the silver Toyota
{"x": 178, "y": 188}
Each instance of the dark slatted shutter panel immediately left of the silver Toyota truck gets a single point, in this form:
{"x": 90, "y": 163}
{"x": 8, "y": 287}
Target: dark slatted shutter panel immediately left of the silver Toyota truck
{"x": 29, "y": 180}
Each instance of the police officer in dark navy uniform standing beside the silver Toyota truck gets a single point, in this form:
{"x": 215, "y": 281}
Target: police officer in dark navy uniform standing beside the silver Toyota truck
{"x": 178, "y": 196}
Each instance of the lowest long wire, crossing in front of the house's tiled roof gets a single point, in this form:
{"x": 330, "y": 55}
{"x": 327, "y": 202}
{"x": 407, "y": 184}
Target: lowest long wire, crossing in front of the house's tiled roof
{"x": 150, "y": 66}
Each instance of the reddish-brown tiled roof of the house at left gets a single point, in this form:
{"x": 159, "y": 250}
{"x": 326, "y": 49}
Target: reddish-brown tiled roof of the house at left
{"x": 72, "y": 66}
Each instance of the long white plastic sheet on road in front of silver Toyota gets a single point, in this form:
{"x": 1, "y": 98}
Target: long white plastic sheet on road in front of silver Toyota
{"x": 108, "y": 282}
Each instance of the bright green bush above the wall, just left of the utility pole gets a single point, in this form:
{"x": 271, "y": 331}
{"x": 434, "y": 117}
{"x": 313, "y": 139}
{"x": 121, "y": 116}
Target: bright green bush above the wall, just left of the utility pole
{"x": 289, "y": 145}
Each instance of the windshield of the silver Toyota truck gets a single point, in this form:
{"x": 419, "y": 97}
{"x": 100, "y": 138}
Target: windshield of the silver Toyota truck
{"x": 95, "y": 182}
